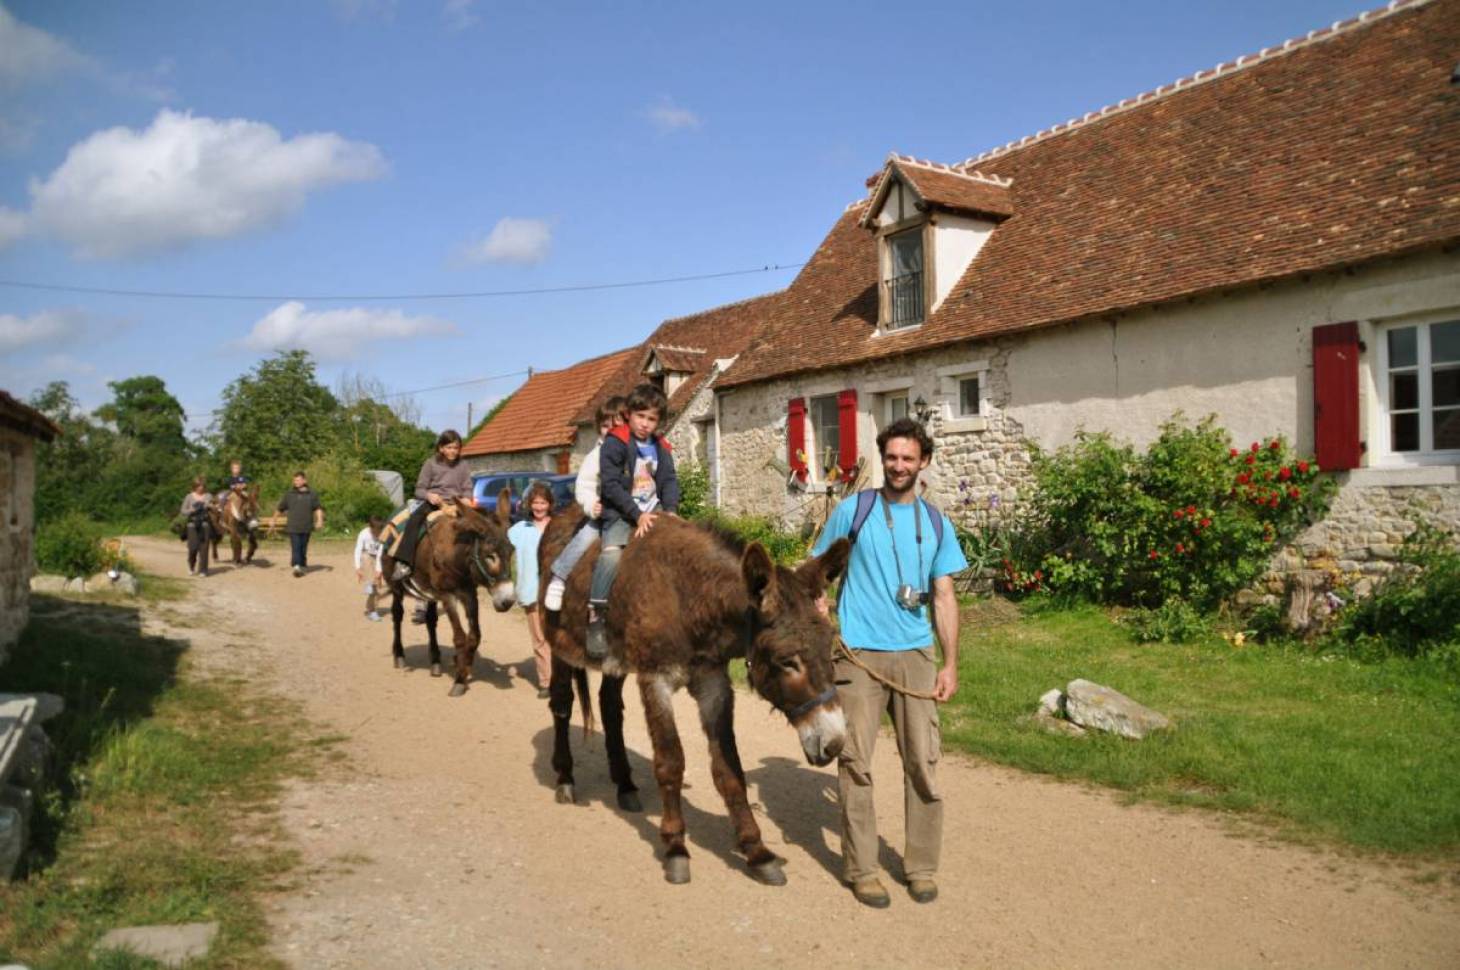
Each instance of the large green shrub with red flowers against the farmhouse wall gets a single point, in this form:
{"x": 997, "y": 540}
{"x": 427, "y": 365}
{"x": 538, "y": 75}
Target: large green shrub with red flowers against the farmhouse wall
{"x": 1194, "y": 518}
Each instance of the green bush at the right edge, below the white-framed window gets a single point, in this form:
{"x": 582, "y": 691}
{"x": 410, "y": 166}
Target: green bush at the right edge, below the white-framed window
{"x": 1414, "y": 611}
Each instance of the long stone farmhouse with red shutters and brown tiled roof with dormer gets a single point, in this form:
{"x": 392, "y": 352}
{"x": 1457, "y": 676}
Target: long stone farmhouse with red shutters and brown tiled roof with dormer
{"x": 1275, "y": 242}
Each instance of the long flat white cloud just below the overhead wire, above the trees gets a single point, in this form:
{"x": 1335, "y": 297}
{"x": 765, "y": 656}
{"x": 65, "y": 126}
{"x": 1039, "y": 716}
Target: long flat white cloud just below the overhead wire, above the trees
{"x": 338, "y": 335}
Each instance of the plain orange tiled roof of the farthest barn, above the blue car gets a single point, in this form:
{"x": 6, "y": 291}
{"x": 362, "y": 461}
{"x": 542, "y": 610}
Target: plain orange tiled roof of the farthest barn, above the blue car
{"x": 541, "y": 413}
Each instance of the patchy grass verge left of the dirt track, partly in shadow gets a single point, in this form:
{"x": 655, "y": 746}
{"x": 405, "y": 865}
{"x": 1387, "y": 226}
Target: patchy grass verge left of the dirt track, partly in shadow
{"x": 167, "y": 787}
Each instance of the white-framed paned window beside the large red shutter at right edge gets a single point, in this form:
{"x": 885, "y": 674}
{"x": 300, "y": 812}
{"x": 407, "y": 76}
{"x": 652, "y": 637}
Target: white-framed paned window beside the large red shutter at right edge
{"x": 1420, "y": 391}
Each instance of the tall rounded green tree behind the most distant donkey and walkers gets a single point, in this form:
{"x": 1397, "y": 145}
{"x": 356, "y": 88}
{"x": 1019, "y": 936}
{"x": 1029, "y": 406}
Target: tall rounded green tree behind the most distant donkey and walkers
{"x": 278, "y": 414}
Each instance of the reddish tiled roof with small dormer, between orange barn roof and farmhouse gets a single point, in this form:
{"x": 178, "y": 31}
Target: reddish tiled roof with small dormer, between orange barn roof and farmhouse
{"x": 716, "y": 334}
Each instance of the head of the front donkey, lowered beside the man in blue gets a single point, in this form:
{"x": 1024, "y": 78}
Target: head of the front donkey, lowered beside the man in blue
{"x": 789, "y": 660}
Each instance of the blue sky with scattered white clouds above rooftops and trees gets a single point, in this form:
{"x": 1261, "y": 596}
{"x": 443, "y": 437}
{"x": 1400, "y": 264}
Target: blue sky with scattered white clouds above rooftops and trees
{"x": 393, "y": 148}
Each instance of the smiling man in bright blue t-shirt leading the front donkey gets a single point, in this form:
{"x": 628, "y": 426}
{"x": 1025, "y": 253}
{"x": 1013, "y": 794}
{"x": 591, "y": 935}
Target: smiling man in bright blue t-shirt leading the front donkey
{"x": 900, "y": 576}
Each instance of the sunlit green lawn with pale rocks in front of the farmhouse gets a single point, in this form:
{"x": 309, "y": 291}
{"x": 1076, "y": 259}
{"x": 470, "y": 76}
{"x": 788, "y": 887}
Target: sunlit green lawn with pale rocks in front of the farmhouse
{"x": 1328, "y": 749}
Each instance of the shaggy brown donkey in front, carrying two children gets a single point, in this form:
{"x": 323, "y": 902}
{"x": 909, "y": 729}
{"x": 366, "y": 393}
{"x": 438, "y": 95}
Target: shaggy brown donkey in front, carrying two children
{"x": 687, "y": 601}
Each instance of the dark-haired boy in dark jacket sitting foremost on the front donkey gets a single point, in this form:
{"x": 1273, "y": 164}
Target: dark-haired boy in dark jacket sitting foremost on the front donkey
{"x": 639, "y": 483}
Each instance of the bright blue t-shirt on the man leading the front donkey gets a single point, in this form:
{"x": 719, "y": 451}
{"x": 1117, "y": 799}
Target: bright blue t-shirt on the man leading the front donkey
{"x": 868, "y": 610}
